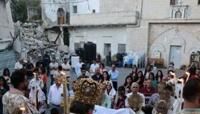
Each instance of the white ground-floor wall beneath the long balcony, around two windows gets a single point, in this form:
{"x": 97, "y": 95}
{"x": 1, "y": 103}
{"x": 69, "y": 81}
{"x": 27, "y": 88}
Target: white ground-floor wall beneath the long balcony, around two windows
{"x": 100, "y": 36}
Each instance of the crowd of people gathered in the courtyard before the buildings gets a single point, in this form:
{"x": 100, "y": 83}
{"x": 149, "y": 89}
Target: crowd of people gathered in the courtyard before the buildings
{"x": 146, "y": 92}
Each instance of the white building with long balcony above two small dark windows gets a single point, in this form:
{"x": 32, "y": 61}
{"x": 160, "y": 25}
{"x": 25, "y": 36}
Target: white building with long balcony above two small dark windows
{"x": 105, "y": 25}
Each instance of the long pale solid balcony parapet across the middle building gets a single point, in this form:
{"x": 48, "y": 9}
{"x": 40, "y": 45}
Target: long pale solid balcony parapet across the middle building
{"x": 115, "y": 18}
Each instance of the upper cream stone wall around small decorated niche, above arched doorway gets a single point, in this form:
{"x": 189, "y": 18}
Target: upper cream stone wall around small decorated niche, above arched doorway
{"x": 161, "y": 9}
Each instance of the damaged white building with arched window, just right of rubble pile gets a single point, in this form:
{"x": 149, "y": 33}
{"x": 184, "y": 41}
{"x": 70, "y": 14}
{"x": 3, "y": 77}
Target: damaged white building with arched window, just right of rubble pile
{"x": 55, "y": 13}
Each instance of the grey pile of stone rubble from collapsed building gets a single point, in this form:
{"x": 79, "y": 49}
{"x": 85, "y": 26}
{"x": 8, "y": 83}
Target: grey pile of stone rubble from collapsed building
{"x": 35, "y": 43}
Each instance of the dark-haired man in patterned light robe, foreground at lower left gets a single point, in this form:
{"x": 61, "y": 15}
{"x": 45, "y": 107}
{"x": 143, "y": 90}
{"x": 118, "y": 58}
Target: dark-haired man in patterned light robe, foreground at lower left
{"x": 14, "y": 101}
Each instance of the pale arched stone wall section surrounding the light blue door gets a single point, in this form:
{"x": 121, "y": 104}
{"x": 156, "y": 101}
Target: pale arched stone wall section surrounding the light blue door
{"x": 188, "y": 39}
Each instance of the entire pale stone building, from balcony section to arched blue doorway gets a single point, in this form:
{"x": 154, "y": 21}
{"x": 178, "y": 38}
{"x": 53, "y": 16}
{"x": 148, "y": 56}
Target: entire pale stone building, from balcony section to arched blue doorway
{"x": 163, "y": 29}
